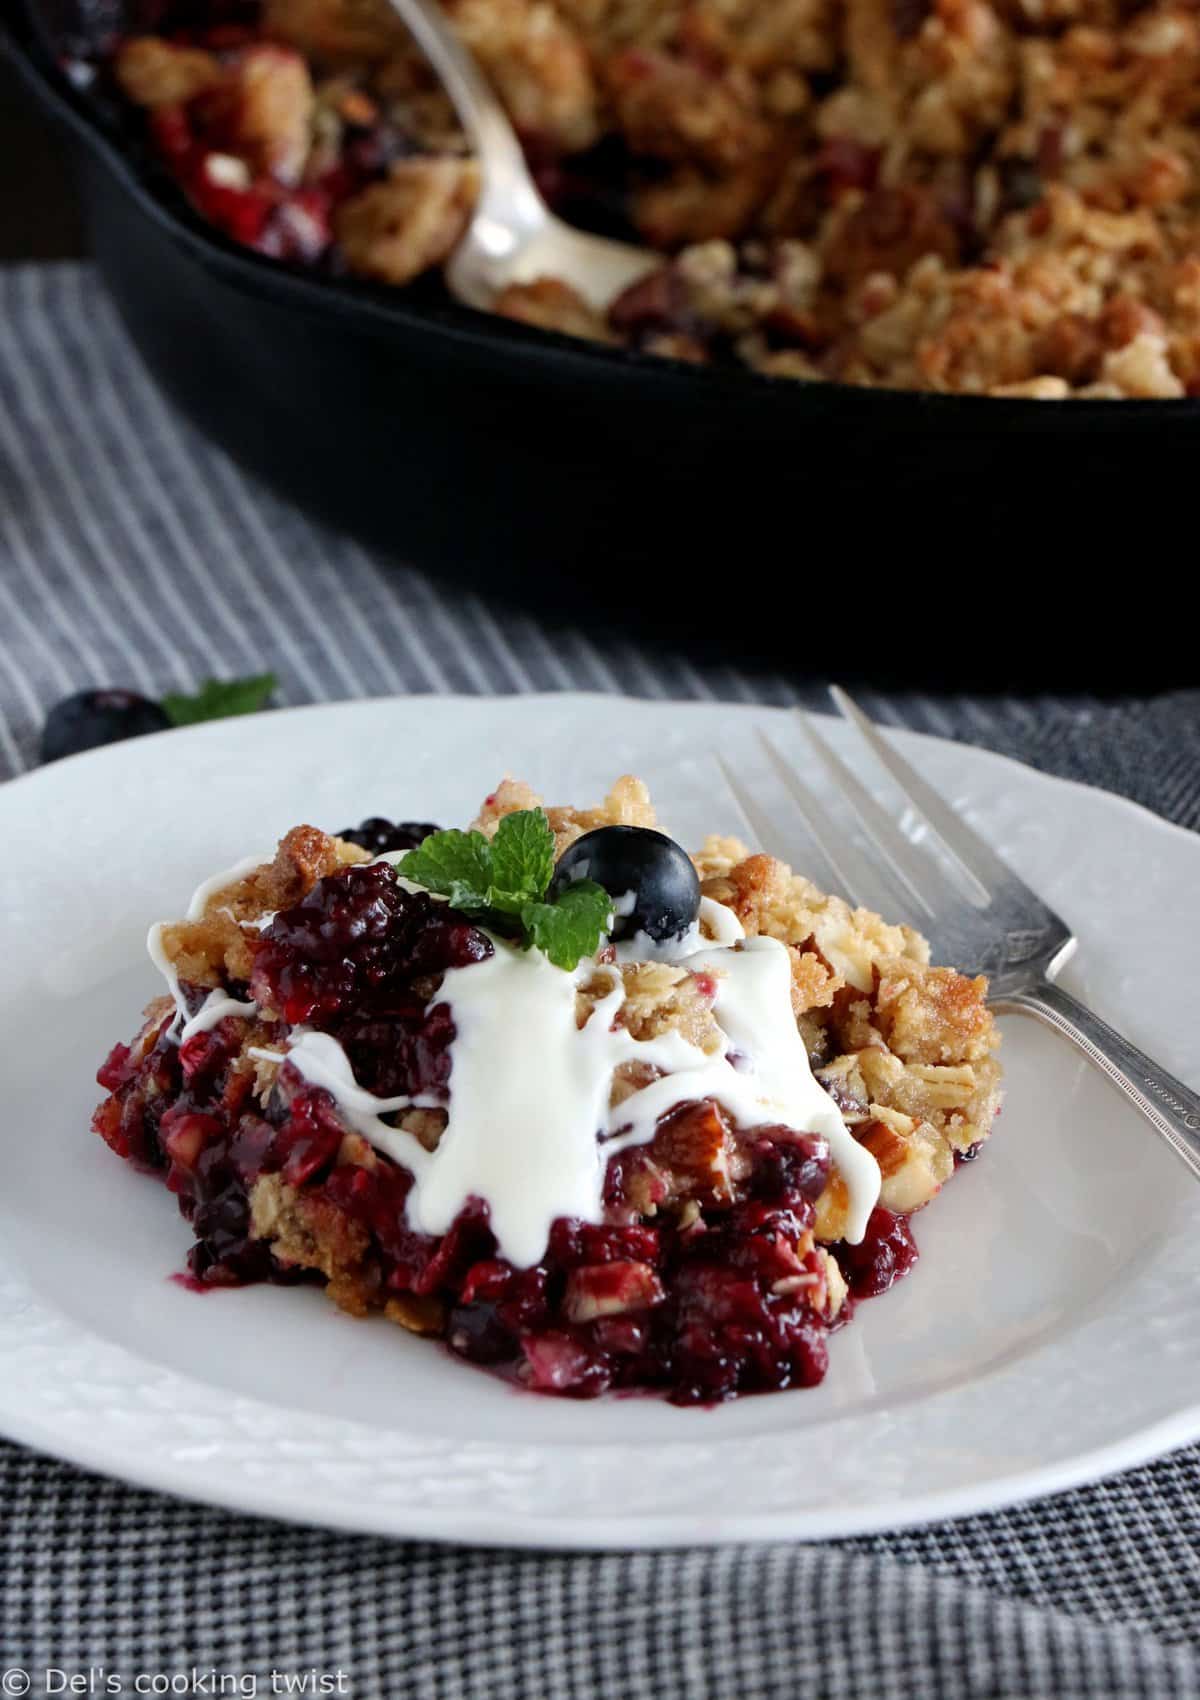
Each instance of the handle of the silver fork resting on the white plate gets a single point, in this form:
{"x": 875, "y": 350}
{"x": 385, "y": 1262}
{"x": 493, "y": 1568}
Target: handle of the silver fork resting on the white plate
{"x": 1169, "y": 1106}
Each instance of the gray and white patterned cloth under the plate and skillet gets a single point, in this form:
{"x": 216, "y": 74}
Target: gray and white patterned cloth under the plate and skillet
{"x": 133, "y": 553}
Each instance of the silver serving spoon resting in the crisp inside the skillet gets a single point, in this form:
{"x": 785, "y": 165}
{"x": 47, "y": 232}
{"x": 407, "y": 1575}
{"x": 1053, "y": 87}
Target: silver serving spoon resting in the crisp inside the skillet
{"x": 514, "y": 237}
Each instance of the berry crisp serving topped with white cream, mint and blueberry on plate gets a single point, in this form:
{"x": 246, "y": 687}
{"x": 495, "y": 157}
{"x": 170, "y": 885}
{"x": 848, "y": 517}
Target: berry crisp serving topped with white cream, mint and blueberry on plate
{"x": 592, "y": 1113}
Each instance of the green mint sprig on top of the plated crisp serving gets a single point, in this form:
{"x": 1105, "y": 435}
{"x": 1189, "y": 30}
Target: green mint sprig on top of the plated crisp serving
{"x": 504, "y": 883}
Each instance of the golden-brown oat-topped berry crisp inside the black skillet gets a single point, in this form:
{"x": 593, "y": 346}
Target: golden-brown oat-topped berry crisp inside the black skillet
{"x": 973, "y": 196}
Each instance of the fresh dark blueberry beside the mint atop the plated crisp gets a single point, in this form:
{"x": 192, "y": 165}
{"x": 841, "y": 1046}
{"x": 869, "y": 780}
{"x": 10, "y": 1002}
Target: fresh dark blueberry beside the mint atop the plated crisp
{"x": 642, "y": 866}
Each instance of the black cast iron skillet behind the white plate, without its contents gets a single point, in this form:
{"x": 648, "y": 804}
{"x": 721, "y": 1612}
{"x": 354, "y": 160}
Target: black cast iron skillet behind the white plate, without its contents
{"x": 905, "y": 536}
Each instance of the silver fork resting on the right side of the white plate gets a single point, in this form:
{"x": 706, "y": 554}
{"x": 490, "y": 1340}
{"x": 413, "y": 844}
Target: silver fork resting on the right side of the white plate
{"x": 983, "y": 921}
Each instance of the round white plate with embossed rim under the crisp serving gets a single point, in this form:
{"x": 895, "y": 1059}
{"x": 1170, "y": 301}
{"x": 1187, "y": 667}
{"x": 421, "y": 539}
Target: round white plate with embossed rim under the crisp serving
{"x": 1048, "y": 1334}
